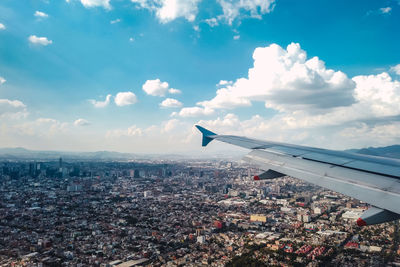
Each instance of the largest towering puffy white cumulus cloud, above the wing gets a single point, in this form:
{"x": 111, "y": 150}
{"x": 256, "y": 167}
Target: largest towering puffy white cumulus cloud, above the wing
{"x": 286, "y": 81}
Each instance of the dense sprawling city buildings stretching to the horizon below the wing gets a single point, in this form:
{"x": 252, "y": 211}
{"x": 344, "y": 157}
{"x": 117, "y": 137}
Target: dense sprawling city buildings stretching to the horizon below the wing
{"x": 178, "y": 213}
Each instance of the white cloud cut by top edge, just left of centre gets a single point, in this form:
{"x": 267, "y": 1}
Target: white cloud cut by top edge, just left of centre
{"x": 168, "y": 10}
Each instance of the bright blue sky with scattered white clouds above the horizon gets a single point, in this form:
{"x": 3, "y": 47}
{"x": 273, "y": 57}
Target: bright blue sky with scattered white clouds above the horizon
{"x": 137, "y": 75}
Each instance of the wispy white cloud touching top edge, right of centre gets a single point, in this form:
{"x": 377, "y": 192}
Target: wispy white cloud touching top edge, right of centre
{"x": 233, "y": 9}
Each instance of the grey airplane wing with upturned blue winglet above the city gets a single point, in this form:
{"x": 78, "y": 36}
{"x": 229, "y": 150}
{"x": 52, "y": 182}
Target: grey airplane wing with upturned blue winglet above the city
{"x": 374, "y": 180}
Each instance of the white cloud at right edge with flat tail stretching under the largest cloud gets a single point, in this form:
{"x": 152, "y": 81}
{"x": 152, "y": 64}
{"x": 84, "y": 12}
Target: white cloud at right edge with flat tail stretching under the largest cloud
{"x": 376, "y": 97}
